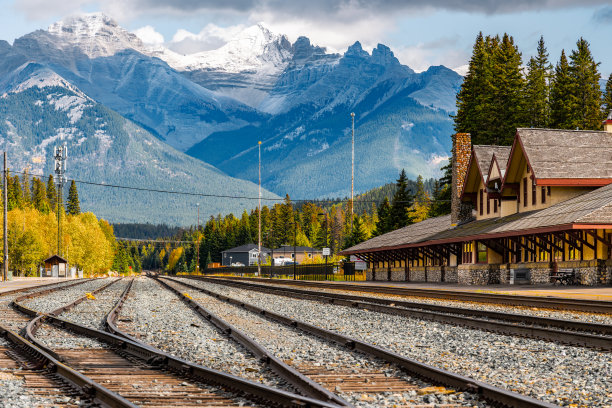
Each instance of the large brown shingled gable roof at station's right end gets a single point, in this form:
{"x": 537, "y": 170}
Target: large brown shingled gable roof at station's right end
{"x": 566, "y": 157}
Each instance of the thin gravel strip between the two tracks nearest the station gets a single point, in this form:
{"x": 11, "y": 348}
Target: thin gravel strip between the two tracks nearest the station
{"x": 530, "y": 311}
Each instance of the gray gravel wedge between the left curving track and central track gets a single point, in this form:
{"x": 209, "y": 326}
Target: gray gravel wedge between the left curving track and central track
{"x": 158, "y": 317}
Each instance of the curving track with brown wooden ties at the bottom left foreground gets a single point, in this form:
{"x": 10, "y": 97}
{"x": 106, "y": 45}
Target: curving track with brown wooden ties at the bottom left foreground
{"x": 121, "y": 373}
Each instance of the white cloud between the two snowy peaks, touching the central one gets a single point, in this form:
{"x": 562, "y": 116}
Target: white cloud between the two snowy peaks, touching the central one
{"x": 210, "y": 37}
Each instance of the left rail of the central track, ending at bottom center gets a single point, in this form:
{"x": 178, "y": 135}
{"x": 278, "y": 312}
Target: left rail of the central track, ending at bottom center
{"x": 285, "y": 371}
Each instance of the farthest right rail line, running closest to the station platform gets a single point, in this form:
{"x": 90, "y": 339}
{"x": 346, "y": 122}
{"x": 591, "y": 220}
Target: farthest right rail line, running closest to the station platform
{"x": 549, "y": 302}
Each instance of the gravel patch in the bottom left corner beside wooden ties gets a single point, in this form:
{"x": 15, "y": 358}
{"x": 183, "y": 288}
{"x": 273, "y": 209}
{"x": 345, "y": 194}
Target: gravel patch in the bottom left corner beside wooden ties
{"x": 15, "y": 395}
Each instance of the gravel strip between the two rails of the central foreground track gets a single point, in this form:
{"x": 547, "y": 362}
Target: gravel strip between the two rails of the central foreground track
{"x": 303, "y": 350}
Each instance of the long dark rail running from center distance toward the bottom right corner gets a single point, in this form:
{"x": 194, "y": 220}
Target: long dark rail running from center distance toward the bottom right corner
{"x": 430, "y": 373}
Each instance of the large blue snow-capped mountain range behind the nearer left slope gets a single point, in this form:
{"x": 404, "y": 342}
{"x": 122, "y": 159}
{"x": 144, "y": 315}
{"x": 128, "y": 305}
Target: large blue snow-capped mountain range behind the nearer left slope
{"x": 295, "y": 97}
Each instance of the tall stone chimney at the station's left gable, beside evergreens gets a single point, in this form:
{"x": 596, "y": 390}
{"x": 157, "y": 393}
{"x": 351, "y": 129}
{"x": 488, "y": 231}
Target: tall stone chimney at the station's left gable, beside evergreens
{"x": 462, "y": 151}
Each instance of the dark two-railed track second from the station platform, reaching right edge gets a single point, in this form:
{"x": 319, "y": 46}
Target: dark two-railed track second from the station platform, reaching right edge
{"x": 570, "y": 332}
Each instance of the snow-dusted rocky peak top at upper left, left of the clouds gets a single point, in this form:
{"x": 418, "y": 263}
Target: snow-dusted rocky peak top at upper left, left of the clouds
{"x": 96, "y": 34}
